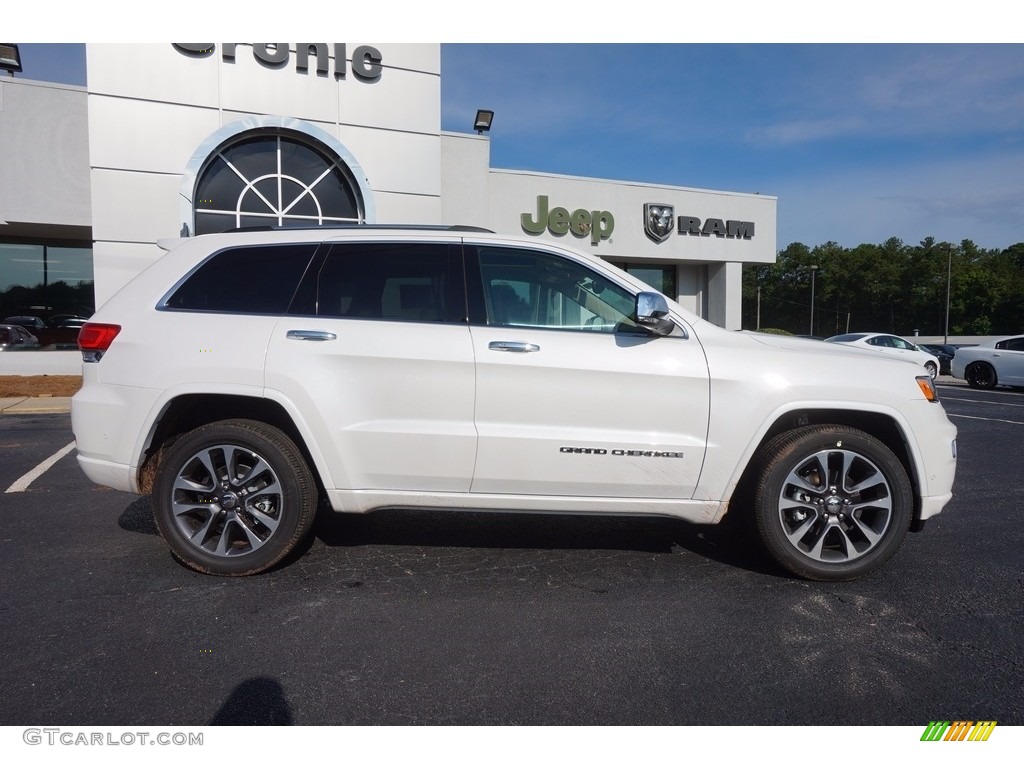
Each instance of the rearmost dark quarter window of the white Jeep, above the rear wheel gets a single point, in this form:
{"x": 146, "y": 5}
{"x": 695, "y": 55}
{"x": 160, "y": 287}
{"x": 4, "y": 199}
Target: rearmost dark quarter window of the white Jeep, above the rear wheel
{"x": 258, "y": 280}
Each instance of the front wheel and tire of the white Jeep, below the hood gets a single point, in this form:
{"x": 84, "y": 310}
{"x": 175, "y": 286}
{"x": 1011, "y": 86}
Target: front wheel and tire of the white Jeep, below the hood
{"x": 832, "y": 503}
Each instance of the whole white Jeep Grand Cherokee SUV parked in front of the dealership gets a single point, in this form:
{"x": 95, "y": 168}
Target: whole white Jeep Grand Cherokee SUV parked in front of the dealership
{"x": 245, "y": 375}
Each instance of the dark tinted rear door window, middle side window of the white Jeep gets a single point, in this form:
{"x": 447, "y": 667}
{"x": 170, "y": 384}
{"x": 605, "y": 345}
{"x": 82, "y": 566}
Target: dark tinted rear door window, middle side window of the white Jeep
{"x": 396, "y": 281}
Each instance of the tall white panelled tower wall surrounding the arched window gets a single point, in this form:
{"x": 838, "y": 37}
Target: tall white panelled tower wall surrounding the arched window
{"x": 152, "y": 107}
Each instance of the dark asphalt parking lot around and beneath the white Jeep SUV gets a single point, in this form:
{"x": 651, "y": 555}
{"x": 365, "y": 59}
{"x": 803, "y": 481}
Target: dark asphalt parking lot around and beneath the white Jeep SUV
{"x": 456, "y": 618}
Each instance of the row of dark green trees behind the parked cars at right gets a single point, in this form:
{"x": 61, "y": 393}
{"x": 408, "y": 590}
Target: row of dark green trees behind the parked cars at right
{"x": 889, "y": 288}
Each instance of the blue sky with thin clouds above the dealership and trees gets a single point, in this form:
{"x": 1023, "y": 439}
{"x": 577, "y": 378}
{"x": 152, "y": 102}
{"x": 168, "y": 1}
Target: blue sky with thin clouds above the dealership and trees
{"x": 860, "y": 143}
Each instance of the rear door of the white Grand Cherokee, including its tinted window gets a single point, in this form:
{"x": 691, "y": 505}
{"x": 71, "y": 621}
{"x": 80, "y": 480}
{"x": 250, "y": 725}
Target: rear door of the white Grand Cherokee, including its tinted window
{"x": 377, "y": 350}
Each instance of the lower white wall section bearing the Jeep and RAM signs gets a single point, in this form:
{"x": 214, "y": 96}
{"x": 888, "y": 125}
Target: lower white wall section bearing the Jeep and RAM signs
{"x": 710, "y": 268}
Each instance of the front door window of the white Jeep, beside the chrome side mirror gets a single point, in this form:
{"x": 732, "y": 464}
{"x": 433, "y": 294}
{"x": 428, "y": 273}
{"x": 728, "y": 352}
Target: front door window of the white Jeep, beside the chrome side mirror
{"x": 541, "y": 290}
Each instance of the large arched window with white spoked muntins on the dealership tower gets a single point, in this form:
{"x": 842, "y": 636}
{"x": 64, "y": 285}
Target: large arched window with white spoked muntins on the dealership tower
{"x": 275, "y": 178}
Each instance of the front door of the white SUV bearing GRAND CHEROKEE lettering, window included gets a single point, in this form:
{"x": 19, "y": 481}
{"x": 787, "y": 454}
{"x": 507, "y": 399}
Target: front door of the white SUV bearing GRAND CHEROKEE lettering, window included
{"x": 573, "y": 399}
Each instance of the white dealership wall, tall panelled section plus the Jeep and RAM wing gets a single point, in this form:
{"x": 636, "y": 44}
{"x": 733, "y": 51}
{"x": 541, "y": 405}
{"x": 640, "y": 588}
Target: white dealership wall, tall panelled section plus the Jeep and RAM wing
{"x": 153, "y": 110}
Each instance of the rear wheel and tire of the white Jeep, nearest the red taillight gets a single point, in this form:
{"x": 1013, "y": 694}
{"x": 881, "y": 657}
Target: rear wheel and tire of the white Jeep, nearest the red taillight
{"x": 246, "y": 520}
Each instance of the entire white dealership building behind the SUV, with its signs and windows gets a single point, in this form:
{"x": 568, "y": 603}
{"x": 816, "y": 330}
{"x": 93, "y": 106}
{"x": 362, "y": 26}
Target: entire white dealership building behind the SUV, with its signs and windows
{"x": 168, "y": 141}
